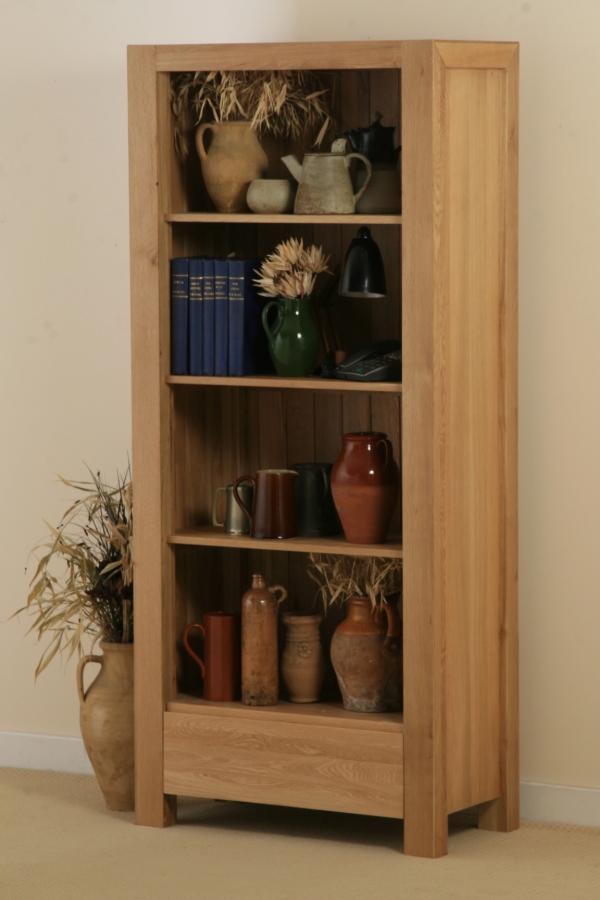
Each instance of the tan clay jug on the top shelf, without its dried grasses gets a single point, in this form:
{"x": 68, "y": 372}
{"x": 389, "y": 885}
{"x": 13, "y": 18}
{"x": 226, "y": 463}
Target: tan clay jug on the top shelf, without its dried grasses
{"x": 233, "y": 160}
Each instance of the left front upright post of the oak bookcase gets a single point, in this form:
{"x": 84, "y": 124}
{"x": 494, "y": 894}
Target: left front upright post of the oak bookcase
{"x": 151, "y": 413}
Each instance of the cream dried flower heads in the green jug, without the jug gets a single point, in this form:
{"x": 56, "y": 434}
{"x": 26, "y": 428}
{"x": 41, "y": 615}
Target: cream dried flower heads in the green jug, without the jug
{"x": 291, "y": 271}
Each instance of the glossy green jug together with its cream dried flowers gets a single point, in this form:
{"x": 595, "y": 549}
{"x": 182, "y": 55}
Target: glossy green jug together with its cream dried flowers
{"x": 289, "y": 274}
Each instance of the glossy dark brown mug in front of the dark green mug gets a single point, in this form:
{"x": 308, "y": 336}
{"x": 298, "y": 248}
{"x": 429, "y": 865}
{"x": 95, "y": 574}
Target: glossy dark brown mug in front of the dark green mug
{"x": 274, "y": 513}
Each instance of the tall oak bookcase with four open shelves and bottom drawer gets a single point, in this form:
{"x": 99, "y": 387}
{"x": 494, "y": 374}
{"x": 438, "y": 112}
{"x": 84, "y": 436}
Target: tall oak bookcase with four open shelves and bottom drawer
{"x": 451, "y": 264}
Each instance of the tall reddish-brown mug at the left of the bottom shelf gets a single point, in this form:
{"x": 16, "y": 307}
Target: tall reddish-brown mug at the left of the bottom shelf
{"x": 221, "y": 667}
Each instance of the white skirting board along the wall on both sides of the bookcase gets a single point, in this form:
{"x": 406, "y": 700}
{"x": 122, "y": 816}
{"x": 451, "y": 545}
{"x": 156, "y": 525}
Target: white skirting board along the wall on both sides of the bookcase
{"x": 539, "y": 802}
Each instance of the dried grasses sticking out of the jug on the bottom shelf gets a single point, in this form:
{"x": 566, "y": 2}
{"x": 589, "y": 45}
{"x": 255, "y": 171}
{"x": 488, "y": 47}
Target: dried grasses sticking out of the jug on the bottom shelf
{"x": 340, "y": 577}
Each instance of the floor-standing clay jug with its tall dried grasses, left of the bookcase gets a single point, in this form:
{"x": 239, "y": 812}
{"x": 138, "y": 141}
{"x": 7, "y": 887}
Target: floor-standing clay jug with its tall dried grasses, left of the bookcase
{"x": 81, "y": 593}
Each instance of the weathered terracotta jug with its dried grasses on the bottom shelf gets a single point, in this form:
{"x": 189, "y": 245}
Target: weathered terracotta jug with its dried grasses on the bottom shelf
{"x": 366, "y": 648}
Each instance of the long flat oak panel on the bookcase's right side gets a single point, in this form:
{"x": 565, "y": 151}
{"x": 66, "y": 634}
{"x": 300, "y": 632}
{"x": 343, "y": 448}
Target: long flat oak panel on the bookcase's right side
{"x": 472, "y": 472}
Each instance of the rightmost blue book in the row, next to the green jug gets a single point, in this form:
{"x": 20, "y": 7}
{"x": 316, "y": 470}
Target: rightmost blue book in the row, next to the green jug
{"x": 248, "y": 345}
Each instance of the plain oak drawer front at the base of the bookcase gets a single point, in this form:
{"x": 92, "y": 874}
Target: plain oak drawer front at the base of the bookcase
{"x": 288, "y": 764}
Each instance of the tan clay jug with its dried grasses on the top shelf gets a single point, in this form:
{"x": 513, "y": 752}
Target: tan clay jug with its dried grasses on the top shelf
{"x": 236, "y": 107}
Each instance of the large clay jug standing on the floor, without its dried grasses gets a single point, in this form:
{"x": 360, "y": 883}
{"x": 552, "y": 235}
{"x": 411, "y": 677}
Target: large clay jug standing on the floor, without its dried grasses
{"x": 106, "y": 719}
